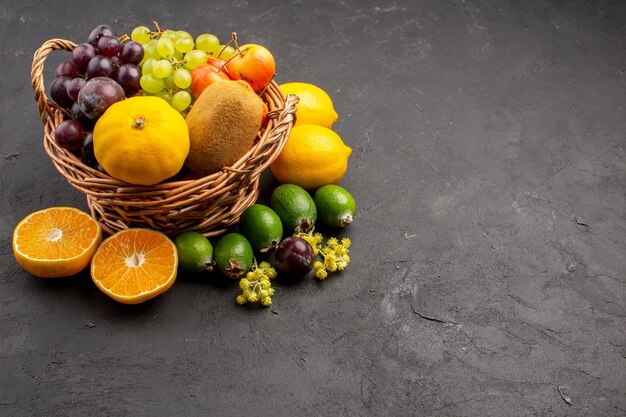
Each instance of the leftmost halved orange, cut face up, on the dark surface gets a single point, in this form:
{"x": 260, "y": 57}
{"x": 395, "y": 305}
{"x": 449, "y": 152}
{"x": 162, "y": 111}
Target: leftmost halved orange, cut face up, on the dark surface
{"x": 56, "y": 242}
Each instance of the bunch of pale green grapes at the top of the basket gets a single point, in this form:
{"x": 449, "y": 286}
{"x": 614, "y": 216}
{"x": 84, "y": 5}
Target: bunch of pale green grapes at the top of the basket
{"x": 169, "y": 56}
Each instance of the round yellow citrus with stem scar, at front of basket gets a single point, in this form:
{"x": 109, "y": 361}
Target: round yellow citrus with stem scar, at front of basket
{"x": 141, "y": 140}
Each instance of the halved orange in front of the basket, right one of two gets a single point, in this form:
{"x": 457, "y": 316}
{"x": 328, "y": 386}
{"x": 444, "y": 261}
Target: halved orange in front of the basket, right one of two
{"x": 135, "y": 265}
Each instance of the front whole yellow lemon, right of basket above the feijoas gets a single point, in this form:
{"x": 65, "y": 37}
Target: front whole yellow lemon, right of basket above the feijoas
{"x": 313, "y": 156}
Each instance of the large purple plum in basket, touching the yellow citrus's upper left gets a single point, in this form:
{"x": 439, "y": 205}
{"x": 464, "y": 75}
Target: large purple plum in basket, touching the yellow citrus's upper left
{"x": 98, "y": 95}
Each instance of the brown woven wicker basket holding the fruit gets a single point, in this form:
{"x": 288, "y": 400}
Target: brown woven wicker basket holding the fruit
{"x": 208, "y": 205}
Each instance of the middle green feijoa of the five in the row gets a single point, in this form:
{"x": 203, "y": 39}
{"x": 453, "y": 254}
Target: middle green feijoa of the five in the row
{"x": 262, "y": 227}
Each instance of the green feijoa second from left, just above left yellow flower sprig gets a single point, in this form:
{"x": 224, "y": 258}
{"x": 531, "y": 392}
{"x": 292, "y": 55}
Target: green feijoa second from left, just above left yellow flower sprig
{"x": 233, "y": 255}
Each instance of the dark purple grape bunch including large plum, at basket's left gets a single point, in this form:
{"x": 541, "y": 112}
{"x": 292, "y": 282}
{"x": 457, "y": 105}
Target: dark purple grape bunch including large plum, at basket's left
{"x": 100, "y": 72}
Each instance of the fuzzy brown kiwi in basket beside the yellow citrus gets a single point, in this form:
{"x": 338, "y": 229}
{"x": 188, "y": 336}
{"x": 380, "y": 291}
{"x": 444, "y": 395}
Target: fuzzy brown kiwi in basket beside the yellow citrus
{"x": 223, "y": 124}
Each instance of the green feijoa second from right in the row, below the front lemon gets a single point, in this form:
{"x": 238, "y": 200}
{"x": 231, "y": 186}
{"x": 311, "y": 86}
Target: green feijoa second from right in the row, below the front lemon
{"x": 295, "y": 207}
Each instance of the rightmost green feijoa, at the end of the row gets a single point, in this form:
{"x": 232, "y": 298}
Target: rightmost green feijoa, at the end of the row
{"x": 335, "y": 205}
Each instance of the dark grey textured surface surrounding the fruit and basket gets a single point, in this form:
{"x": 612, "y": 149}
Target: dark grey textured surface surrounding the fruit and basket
{"x": 489, "y": 170}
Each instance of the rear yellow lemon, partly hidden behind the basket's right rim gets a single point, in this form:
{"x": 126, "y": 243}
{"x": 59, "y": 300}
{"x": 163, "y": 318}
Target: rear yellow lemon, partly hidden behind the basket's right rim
{"x": 315, "y": 106}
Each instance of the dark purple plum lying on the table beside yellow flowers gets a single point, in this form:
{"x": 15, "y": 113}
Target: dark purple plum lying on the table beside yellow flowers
{"x": 294, "y": 257}
